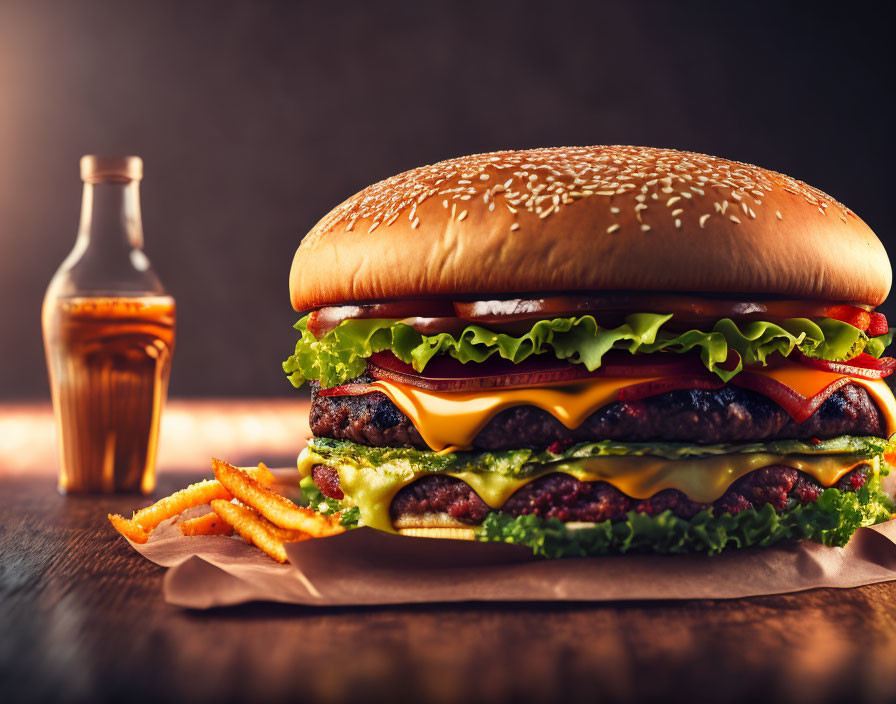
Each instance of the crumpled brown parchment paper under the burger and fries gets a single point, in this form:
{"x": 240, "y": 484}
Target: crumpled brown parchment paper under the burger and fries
{"x": 368, "y": 567}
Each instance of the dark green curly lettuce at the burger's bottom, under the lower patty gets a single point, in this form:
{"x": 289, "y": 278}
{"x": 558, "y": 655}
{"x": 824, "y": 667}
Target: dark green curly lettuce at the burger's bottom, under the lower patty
{"x": 831, "y": 520}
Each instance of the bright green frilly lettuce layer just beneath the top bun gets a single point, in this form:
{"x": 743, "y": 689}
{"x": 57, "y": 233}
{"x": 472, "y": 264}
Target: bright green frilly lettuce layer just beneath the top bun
{"x": 341, "y": 354}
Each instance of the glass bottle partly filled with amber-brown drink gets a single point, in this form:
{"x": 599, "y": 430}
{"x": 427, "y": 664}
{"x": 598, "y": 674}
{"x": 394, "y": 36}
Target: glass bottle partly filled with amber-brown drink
{"x": 108, "y": 327}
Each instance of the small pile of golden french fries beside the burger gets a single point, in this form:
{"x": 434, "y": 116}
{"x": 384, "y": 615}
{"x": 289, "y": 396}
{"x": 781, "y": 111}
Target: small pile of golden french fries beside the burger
{"x": 242, "y": 502}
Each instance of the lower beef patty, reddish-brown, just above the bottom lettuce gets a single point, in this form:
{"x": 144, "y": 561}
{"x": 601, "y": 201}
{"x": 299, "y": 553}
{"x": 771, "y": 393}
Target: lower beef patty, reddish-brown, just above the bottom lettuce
{"x": 568, "y": 499}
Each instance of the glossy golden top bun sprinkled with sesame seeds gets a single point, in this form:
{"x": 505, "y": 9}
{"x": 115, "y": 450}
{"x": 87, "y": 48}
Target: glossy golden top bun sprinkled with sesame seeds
{"x": 589, "y": 219}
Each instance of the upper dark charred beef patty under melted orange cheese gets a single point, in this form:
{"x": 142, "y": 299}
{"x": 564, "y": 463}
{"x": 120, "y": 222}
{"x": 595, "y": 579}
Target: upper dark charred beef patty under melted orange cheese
{"x": 730, "y": 414}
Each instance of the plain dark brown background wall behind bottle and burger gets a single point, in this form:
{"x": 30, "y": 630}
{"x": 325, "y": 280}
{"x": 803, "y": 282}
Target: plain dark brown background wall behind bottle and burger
{"x": 255, "y": 118}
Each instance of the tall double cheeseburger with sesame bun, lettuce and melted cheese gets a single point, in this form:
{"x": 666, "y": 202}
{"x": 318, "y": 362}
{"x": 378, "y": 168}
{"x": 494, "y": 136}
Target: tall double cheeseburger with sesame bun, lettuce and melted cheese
{"x": 595, "y": 350}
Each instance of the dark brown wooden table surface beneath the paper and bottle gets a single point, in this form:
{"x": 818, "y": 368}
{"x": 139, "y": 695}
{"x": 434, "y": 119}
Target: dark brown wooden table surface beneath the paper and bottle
{"x": 82, "y": 619}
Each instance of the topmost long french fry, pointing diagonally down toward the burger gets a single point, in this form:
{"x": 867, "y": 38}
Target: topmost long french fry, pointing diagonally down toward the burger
{"x": 276, "y": 508}
